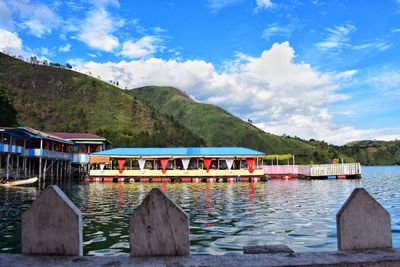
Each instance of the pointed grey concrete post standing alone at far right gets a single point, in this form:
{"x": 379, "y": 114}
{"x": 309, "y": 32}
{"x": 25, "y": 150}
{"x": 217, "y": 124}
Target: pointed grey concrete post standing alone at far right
{"x": 362, "y": 223}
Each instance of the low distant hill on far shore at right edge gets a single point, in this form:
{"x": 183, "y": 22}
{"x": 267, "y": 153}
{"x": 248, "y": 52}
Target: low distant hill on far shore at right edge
{"x": 370, "y": 152}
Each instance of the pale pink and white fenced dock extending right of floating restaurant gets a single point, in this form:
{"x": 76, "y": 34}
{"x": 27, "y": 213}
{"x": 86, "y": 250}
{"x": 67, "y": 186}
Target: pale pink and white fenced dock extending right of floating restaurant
{"x": 319, "y": 171}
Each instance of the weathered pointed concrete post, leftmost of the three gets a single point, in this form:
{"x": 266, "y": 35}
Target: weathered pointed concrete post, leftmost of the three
{"x": 52, "y": 225}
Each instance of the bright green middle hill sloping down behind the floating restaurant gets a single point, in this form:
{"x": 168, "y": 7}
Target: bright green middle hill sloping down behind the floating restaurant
{"x": 220, "y": 128}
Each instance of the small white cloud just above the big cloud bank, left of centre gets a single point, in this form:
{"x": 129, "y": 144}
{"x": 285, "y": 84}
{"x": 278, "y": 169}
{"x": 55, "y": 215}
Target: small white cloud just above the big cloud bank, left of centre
{"x": 145, "y": 46}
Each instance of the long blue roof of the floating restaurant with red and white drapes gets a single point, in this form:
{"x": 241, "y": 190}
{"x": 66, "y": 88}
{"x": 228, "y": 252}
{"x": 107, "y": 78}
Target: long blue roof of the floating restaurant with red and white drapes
{"x": 181, "y": 151}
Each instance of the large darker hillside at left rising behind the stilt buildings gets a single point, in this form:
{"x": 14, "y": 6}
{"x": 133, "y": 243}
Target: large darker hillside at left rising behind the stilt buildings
{"x": 56, "y": 99}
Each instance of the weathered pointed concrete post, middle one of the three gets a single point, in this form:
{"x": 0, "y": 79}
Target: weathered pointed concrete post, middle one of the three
{"x": 159, "y": 227}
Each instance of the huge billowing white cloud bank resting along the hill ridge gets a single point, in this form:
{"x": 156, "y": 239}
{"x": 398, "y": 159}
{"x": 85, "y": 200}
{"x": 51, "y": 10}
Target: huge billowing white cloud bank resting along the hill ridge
{"x": 279, "y": 95}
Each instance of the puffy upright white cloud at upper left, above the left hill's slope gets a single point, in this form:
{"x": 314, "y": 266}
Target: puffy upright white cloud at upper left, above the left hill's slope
{"x": 97, "y": 30}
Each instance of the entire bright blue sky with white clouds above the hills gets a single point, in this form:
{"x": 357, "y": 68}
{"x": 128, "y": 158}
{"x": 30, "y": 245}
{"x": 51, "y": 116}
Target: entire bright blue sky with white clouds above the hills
{"x": 327, "y": 70}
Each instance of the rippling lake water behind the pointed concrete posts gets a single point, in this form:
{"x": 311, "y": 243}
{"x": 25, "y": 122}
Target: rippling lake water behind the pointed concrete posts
{"x": 223, "y": 217}
